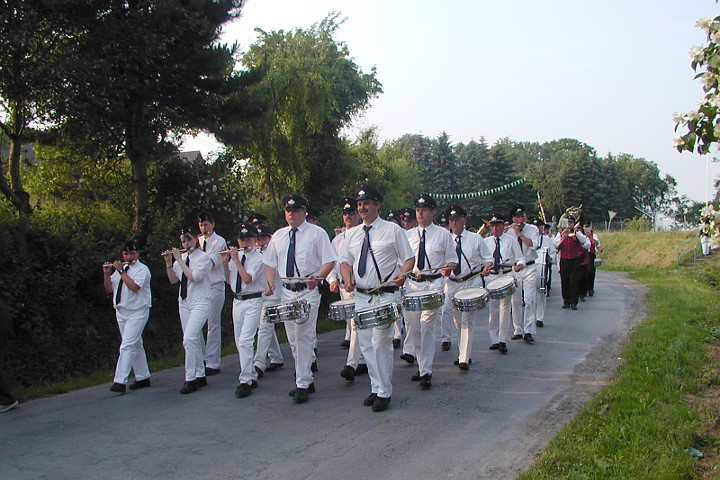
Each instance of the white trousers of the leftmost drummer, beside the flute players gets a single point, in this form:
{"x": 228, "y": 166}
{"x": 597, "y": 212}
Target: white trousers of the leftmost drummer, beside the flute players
{"x": 301, "y": 336}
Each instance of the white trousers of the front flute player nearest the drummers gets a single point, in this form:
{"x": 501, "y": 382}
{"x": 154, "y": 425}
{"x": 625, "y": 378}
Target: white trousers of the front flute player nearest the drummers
{"x": 246, "y": 317}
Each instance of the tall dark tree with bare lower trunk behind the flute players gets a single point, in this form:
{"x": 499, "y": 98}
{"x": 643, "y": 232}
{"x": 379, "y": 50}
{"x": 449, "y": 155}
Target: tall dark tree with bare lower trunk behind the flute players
{"x": 147, "y": 71}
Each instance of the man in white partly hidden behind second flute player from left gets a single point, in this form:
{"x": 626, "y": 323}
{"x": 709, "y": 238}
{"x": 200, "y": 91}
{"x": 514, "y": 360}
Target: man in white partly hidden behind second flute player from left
{"x": 212, "y": 243}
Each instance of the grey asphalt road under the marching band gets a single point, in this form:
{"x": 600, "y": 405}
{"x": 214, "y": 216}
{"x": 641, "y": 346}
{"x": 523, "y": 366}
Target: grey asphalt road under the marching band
{"x": 490, "y": 422}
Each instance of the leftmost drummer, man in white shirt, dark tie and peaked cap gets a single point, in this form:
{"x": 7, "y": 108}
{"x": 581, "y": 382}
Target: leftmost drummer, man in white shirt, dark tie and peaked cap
{"x": 302, "y": 252}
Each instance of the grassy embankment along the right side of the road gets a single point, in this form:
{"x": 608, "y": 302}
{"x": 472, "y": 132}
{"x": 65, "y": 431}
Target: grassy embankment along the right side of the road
{"x": 666, "y": 395}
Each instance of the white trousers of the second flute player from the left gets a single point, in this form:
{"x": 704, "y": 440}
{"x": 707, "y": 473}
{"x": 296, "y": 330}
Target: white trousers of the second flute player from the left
{"x": 192, "y": 319}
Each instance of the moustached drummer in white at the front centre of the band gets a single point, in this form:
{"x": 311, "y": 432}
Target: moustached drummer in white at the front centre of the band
{"x": 369, "y": 260}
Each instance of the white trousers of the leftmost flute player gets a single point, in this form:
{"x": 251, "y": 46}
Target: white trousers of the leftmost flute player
{"x": 132, "y": 354}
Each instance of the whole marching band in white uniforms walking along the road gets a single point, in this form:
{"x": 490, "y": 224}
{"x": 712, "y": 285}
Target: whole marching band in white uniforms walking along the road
{"x": 403, "y": 275}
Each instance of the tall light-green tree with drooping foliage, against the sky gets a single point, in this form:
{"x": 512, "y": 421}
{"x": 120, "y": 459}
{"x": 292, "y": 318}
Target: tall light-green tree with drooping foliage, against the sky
{"x": 311, "y": 89}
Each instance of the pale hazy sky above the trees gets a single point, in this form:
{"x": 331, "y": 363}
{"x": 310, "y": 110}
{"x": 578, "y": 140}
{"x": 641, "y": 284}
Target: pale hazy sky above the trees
{"x": 609, "y": 74}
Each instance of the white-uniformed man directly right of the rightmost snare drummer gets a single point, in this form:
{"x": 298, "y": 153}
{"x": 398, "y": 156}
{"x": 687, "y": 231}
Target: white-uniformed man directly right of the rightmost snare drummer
{"x": 527, "y": 237}
